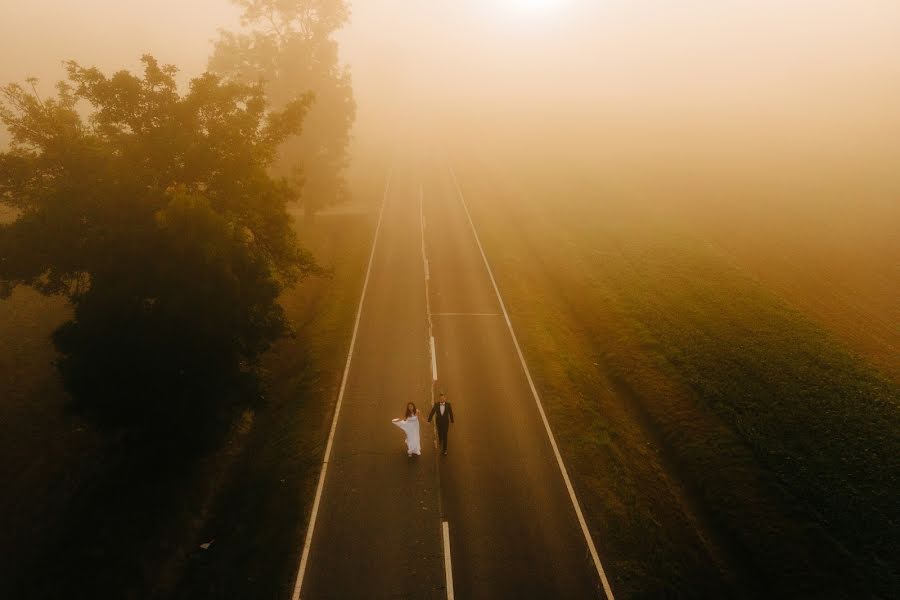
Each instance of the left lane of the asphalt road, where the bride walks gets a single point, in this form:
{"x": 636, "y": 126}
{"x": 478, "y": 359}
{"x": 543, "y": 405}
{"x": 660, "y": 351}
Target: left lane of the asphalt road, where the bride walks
{"x": 376, "y": 531}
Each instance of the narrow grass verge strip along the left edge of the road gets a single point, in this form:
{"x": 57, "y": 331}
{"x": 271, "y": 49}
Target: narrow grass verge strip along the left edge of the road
{"x": 259, "y": 519}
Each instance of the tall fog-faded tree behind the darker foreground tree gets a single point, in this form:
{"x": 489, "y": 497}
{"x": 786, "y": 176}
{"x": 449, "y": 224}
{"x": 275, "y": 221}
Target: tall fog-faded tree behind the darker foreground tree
{"x": 289, "y": 44}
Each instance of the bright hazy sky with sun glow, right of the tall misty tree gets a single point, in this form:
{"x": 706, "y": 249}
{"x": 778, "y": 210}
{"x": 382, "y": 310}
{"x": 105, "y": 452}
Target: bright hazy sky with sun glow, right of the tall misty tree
{"x": 808, "y": 66}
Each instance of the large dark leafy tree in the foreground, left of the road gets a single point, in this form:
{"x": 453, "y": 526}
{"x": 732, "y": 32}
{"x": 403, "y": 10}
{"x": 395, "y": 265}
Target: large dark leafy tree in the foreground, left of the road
{"x": 156, "y": 216}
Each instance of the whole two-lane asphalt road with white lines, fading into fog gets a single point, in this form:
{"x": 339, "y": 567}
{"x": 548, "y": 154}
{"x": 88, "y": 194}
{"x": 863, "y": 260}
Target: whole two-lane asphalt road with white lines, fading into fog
{"x": 493, "y": 519}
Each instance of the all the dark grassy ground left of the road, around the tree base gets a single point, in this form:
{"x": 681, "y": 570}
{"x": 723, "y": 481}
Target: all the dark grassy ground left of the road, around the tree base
{"x": 98, "y": 515}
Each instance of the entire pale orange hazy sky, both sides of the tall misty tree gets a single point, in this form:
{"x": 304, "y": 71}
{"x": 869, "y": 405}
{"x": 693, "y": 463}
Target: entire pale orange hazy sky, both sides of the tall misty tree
{"x": 818, "y": 72}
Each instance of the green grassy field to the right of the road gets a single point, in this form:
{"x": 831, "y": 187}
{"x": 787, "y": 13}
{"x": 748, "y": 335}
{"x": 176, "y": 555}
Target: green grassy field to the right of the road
{"x": 724, "y": 440}
